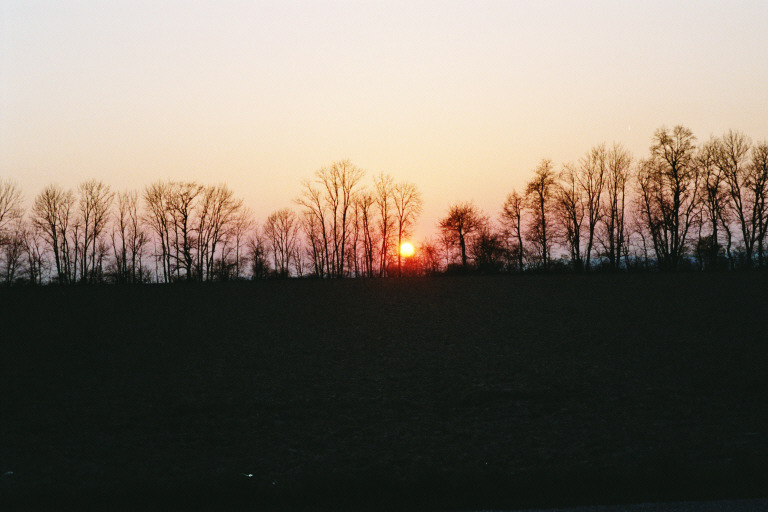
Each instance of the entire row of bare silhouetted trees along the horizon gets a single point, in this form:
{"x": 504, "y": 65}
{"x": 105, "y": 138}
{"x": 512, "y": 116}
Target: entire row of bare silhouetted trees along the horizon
{"x": 682, "y": 206}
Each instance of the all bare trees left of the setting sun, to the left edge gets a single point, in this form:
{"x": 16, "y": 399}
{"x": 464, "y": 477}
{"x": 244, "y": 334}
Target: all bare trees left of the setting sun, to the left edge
{"x": 186, "y": 231}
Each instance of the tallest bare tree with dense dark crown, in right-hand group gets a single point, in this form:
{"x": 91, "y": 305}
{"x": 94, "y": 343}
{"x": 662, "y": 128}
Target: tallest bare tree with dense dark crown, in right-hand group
{"x": 669, "y": 186}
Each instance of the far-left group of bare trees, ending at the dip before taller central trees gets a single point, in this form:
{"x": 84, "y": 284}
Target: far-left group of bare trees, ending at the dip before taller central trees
{"x": 171, "y": 231}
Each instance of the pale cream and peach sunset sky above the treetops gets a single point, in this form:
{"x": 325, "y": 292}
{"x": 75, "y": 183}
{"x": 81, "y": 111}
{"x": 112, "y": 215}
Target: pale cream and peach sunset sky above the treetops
{"x": 462, "y": 98}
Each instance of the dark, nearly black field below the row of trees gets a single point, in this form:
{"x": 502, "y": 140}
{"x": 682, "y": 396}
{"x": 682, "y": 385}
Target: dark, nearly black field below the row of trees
{"x": 445, "y": 393}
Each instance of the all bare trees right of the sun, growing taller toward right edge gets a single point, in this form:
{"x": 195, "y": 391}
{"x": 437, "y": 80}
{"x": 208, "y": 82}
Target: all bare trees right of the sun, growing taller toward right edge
{"x": 684, "y": 206}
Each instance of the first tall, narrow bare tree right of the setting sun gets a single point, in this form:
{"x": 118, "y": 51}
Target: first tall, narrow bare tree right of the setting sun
{"x": 540, "y": 192}
